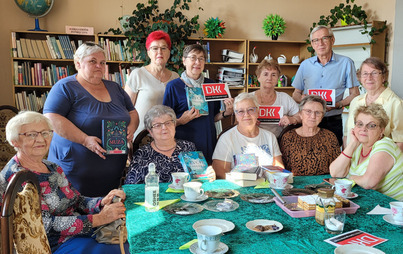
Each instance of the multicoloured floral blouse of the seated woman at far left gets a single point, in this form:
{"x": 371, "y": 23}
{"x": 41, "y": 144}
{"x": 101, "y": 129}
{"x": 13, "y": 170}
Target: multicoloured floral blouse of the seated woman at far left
{"x": 65, "y": 212}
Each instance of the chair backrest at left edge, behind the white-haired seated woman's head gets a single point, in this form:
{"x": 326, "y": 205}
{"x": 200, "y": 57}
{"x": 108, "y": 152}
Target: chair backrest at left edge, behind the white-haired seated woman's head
{"x": 6, "y": 150}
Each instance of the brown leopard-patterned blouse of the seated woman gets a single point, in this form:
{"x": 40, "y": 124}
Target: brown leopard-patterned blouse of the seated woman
{"x": 309, "y": 155}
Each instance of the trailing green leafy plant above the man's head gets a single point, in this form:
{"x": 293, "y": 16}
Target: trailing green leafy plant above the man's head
{"x": 350, "y": 15}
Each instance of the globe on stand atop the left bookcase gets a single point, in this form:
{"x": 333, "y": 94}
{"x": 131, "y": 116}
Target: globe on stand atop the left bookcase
{"x": 36, "y": 9}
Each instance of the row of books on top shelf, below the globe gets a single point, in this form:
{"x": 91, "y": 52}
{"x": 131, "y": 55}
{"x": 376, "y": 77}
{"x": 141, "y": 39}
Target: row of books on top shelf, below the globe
{"x": 51, "y": 48}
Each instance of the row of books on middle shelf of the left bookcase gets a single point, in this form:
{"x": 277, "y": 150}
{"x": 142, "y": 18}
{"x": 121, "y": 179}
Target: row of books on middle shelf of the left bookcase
{"x": 35, "y": 74}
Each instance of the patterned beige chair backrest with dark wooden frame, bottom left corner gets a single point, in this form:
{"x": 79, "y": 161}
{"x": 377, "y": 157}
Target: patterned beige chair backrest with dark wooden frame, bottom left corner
{"x": 21, "y": 219}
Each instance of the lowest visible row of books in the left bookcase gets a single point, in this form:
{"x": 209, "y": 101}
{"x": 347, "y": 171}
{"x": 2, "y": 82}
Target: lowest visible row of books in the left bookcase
{"x": 30, "y": 101}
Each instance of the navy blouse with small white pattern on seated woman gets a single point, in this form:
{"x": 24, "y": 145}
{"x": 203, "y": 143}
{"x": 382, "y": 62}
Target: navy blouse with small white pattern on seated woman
{"x": 164, "y": 165}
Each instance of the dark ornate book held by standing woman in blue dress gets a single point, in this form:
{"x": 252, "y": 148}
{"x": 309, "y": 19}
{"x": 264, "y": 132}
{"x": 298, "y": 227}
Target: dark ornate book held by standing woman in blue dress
{"x": 114, "y": 136}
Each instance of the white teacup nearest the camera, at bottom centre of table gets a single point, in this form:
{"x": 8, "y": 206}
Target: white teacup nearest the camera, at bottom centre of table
{"x": 208, "y": 238}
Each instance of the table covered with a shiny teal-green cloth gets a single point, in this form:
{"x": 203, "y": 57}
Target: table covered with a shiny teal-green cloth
{"x": 161, "y": 232}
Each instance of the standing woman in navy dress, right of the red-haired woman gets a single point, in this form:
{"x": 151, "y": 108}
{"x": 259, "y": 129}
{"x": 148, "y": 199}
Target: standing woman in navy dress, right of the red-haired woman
{"x": 191, "y": 125}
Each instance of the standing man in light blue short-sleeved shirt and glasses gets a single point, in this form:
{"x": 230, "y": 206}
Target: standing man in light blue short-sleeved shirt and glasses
{"x": 327, "y": 70}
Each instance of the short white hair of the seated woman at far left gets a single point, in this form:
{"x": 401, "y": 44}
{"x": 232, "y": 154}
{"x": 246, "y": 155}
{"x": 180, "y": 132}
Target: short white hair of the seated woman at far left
{"x": 14, "y": 125}
